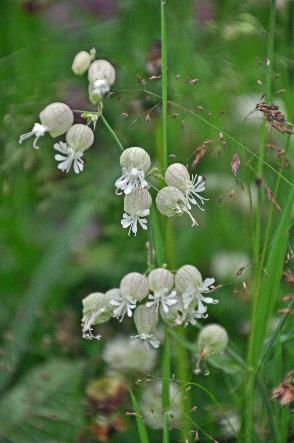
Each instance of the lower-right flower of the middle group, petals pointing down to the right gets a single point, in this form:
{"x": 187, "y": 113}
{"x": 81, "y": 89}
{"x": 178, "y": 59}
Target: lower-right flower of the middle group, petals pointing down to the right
{"x": 171, "y": 201}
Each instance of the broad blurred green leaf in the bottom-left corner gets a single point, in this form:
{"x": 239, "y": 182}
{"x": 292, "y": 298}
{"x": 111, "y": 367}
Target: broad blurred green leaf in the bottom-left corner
{"x": 44, "y": 406}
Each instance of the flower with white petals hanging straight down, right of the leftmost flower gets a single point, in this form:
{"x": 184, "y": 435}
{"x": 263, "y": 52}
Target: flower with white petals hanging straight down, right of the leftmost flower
{"x": 79, "y": 138}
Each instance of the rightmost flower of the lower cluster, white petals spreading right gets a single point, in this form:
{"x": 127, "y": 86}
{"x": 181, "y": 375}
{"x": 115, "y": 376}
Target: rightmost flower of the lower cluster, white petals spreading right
{"x": 189, "y": 283}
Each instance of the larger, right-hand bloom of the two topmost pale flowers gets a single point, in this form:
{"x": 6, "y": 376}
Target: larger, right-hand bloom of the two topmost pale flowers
{"x": 101, "y": 75}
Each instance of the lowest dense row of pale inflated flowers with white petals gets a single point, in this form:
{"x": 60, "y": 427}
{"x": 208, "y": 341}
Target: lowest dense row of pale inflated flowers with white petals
{"x": 176, "y": 299}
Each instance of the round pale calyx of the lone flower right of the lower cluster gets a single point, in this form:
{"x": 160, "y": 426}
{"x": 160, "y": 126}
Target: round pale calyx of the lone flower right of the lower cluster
{"x": 213, "y": 338}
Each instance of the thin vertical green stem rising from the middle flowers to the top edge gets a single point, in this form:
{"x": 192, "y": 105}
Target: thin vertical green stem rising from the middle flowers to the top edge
{"x": 164, "y": 84}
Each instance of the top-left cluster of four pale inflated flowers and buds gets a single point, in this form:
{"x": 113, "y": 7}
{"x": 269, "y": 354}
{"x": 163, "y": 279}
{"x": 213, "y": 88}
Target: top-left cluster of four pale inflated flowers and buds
{"x": 58, "y": 119}
